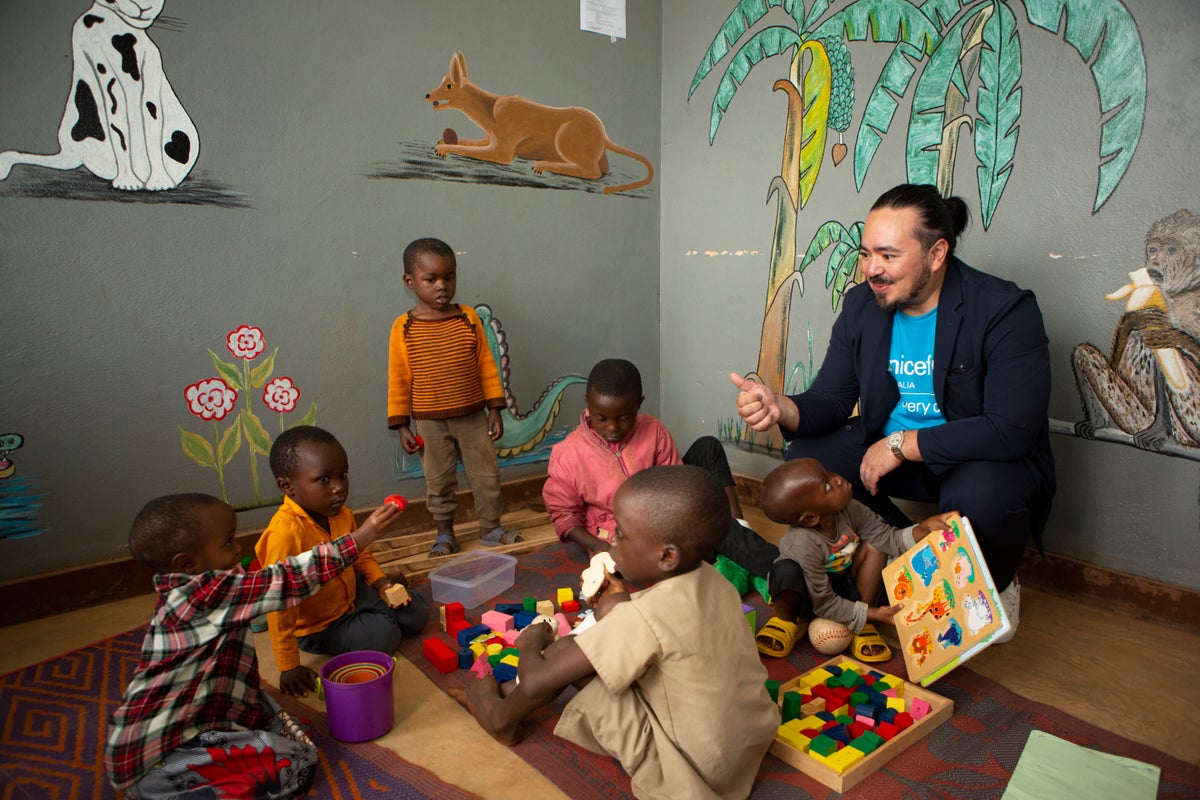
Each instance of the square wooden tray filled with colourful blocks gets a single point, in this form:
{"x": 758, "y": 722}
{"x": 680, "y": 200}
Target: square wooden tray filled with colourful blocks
{"x": 839, "y": 743}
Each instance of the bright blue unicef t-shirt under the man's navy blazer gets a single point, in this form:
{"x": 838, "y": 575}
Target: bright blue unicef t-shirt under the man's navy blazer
{"x": 911, "y": 363}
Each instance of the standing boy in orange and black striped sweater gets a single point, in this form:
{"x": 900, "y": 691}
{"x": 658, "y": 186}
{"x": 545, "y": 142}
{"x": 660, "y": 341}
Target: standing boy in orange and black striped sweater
{"x": 441, "y": 378}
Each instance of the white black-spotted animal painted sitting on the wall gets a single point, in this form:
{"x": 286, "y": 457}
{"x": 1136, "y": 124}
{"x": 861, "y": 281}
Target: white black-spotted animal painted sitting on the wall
{"x": 123, "y": 121}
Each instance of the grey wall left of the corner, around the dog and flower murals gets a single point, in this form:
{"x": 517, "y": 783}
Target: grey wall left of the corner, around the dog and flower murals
{"x": 111, "y": 306}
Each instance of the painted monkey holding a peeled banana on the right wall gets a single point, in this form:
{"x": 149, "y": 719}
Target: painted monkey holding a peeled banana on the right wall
{"x": 1149, "y": 387}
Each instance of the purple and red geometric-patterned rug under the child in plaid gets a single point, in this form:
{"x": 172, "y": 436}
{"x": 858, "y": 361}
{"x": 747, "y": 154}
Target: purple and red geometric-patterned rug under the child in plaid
{"x": 53, "y": 719}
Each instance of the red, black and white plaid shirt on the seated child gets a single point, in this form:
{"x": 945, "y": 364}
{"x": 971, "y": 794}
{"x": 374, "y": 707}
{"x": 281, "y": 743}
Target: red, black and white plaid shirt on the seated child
{"x": 199, "y": 670}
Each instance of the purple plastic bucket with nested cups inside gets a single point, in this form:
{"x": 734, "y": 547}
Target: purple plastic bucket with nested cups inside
{"x": 358, "y": 695}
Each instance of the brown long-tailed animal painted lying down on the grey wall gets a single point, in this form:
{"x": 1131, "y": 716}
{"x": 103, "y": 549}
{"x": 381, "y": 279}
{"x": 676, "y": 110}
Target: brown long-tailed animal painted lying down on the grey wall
{"x": 562, "y": 141}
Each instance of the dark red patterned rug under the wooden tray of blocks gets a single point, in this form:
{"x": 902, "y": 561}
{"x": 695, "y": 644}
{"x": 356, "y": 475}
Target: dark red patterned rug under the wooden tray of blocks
{"x": 971, "y": 756}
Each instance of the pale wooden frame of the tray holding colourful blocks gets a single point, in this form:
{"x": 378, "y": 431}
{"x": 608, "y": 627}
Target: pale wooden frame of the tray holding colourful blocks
{"x": 943, "y": 711}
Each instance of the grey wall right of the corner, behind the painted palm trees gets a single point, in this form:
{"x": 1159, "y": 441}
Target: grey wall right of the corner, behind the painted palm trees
{"x": 1118, "y": 507}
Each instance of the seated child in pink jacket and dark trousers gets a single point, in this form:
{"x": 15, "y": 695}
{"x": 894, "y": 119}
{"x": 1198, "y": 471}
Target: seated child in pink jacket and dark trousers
{"x": 613, "y": 442}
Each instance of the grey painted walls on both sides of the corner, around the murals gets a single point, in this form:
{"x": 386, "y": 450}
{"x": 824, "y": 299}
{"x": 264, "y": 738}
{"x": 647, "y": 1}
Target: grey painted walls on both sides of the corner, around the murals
{"x": 111, "y": 308}
